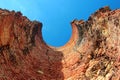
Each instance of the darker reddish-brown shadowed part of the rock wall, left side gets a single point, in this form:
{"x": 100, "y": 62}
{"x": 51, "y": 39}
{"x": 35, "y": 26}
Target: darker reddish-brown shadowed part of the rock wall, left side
{"x": 23, "y": 54}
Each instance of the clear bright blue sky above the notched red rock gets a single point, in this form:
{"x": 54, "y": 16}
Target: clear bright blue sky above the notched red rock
{"x": 56, "y": 15}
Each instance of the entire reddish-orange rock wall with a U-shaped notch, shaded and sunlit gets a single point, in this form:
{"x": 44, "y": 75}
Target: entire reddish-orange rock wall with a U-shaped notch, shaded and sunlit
{"x": 93, "y": 52}
